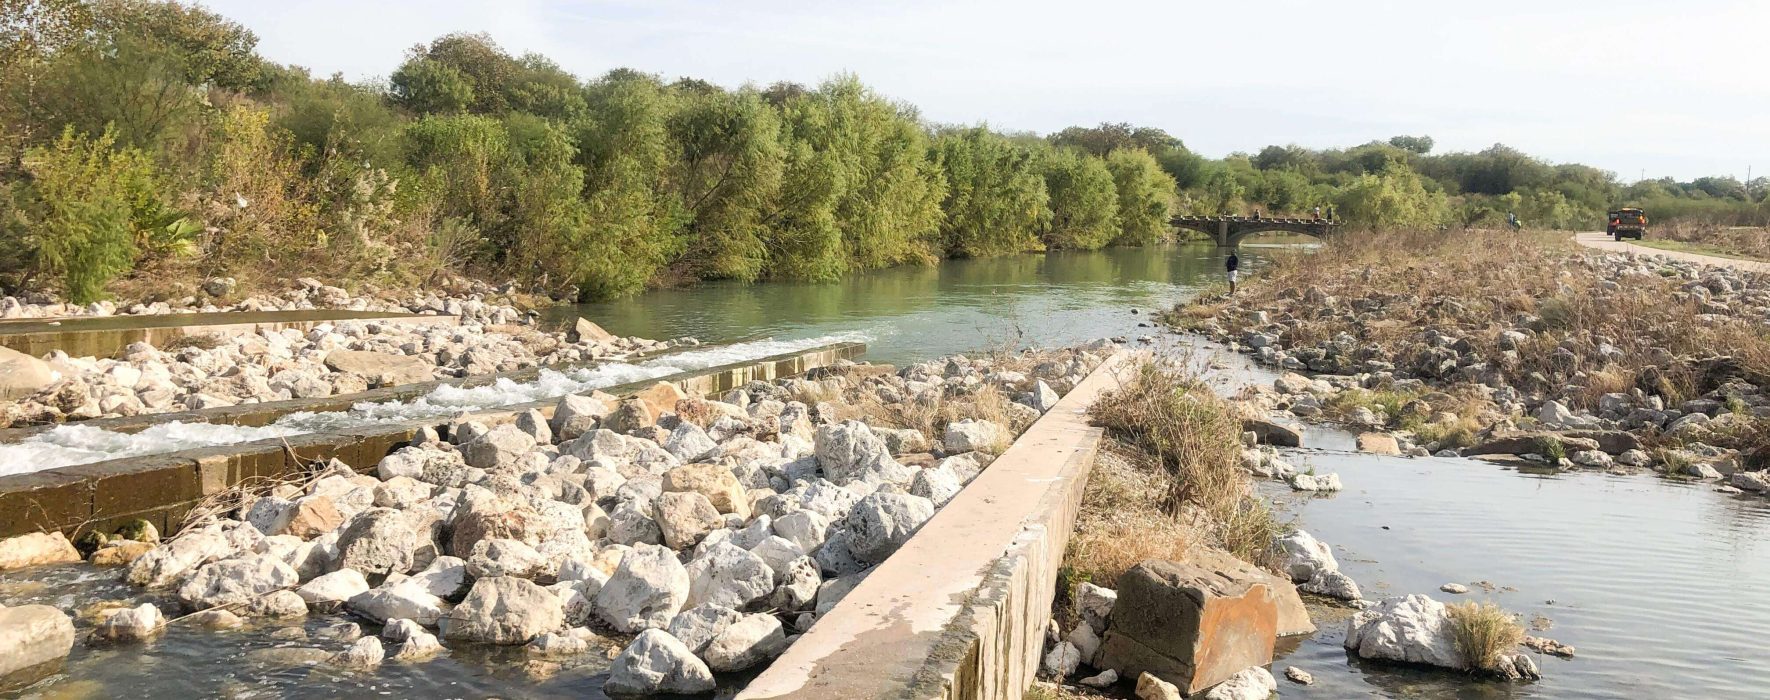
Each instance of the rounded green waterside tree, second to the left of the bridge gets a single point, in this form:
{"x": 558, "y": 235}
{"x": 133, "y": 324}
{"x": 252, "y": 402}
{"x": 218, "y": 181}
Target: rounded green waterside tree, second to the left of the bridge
{"x": 1084, "y": 201}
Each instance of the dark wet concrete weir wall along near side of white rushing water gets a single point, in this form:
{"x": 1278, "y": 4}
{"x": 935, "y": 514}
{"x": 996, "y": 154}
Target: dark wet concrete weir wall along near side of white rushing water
{"x": 164, "y": 488}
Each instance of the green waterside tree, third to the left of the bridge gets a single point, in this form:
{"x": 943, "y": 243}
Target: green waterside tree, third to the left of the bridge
{"x": 996, "y": 199}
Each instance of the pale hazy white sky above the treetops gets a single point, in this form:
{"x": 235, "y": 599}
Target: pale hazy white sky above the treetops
{"x": 1629, "y": 86}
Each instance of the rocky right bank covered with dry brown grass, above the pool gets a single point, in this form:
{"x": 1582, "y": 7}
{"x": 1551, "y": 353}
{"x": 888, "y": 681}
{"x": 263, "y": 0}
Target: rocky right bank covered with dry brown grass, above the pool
{"x": 1521, "y": 346}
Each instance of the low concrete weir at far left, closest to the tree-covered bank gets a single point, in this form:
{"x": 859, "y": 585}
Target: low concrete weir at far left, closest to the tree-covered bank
{"x": 105, "y": 336}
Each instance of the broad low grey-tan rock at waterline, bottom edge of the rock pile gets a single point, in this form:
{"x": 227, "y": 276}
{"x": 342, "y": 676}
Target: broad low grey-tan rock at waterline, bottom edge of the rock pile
{"x": 505, "y": 611}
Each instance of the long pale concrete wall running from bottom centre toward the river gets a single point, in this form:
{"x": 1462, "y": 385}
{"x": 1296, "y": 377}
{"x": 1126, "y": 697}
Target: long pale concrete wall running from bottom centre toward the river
{"x": 960, "y": 611}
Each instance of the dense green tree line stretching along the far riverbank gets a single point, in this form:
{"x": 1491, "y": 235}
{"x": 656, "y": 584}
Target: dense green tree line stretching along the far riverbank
{"x": 148, "y": 141}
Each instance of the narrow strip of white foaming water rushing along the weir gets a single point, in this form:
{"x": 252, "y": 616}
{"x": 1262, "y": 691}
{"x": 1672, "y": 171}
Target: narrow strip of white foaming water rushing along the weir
{"x": 68, "y": 446}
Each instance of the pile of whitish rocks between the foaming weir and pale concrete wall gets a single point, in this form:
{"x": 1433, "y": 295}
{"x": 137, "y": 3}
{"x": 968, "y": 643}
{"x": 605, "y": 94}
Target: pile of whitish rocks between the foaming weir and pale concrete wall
{"x": 705, "y": 533}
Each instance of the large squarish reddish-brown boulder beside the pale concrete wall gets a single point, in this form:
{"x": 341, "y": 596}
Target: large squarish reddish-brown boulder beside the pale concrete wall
{"x": 1192, "y": 625}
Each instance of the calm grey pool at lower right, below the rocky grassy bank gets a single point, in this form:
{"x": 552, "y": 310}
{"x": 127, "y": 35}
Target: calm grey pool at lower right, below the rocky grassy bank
{"x": 1658, "y": 584}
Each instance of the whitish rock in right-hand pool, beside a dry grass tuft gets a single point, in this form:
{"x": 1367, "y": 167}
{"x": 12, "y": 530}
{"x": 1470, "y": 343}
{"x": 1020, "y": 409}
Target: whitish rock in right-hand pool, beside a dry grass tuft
{"x": 1413, "y": 630}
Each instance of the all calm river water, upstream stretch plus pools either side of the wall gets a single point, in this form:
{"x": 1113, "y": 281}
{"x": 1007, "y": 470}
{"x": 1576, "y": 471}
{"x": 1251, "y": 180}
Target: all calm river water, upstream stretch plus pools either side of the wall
{"x": 1659, "y": 584}
